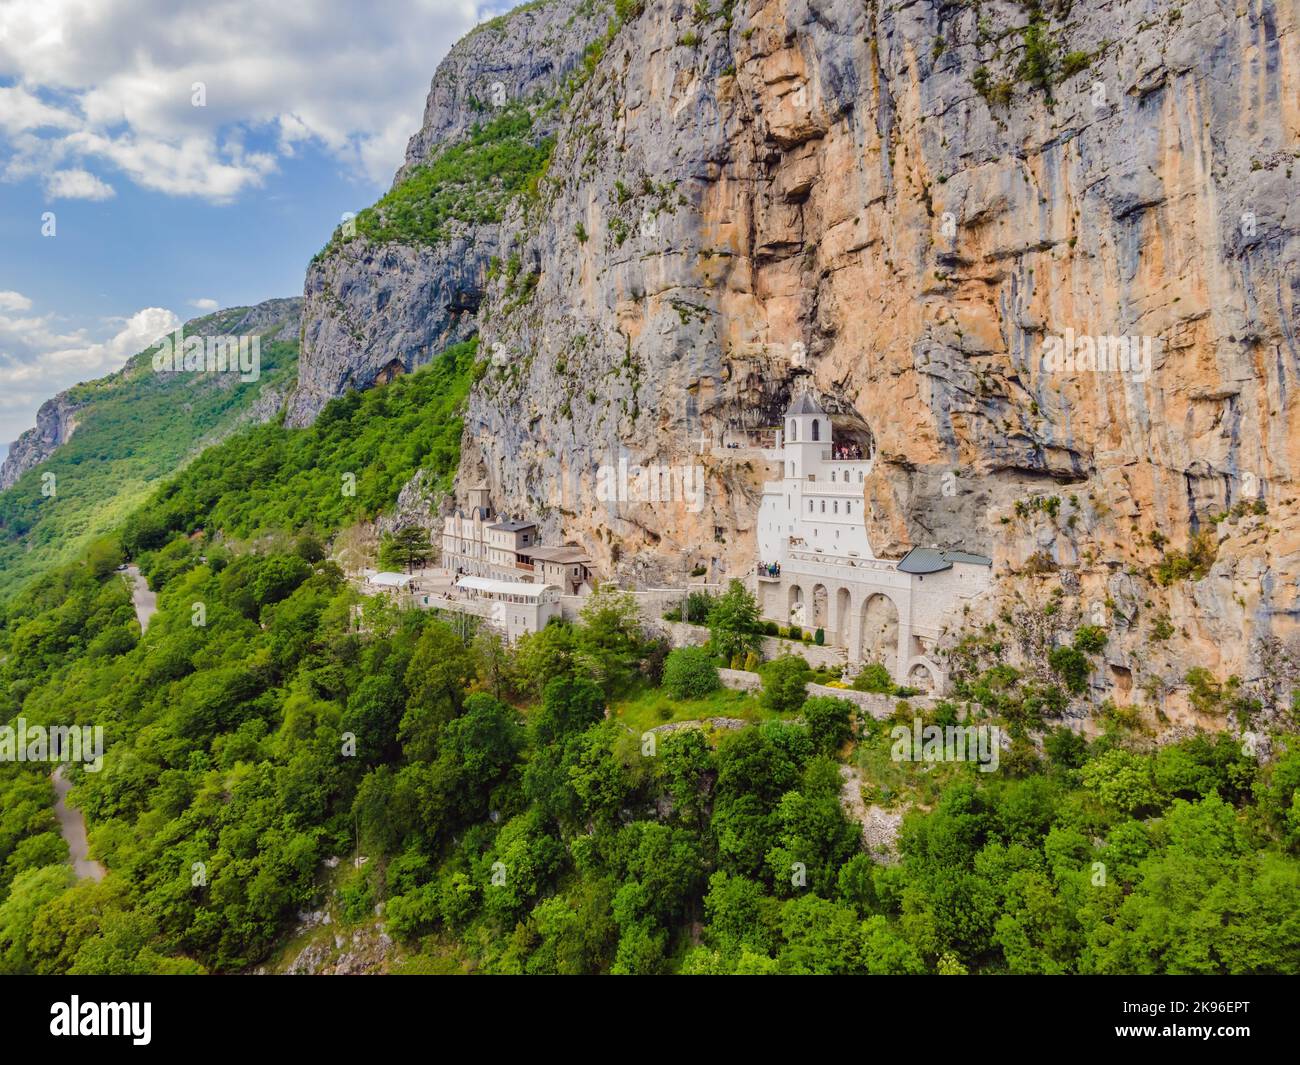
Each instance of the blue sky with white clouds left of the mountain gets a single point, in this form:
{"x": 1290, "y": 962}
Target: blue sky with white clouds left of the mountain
{"x": 164, "y": 209}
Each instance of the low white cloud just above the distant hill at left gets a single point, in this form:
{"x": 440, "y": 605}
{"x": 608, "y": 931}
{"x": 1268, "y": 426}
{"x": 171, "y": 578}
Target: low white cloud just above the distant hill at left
{"x": 38, "y": 361}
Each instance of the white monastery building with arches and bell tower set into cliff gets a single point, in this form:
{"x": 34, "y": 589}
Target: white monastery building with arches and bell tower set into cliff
{"x": 817, "y": 568}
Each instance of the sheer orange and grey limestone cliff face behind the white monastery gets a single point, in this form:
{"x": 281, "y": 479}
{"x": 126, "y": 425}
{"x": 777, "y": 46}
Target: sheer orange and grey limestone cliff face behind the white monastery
{"x": 907, "y": 206}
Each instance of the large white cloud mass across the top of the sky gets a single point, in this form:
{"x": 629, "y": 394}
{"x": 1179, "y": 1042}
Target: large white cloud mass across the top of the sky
{"x": 111, "y": 84}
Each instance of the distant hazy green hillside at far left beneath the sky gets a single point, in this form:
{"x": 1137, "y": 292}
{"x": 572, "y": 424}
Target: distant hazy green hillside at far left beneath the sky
{"x": 136, "y": 428}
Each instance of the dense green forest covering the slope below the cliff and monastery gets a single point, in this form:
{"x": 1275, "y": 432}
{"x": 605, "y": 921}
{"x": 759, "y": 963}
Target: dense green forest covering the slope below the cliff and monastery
{"x": 517, "y": 812}
